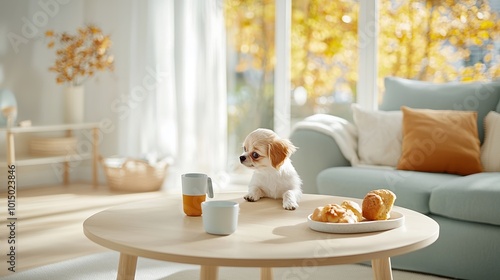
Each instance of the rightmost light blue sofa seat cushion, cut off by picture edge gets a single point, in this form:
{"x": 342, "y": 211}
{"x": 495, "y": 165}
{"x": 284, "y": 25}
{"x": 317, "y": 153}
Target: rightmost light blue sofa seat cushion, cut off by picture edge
{"x": 473, "y": 198}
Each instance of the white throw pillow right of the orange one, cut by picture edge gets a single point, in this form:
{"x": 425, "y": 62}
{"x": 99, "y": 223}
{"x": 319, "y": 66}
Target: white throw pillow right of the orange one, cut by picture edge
{"x": 490, "y": 150}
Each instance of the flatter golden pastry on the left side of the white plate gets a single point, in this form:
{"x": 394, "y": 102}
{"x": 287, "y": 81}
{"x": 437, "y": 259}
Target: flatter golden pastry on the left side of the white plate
{"x": 334, "y": 213}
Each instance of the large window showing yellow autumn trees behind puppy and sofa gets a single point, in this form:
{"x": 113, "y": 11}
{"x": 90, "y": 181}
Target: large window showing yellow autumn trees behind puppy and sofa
{"x": 436, "y": 41}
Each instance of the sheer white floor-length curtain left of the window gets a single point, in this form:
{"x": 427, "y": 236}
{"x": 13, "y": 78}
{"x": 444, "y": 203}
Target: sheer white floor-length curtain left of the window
{"x": 177, "y": 91}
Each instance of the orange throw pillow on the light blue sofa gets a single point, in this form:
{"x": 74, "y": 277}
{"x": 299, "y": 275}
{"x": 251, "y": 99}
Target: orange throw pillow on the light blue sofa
{"x": 443, "y": 141}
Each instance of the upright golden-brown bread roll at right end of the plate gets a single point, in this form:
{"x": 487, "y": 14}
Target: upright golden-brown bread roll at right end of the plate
{"x": 377, "y": 204}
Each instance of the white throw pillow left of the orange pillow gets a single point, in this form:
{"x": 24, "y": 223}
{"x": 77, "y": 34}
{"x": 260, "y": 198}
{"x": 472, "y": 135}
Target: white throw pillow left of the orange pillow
{"x": 379, "y": 136}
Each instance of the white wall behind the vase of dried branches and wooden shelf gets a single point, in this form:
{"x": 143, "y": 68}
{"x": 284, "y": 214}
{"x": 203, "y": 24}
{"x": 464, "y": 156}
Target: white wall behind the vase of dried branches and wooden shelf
{"x": 25, "y": 59}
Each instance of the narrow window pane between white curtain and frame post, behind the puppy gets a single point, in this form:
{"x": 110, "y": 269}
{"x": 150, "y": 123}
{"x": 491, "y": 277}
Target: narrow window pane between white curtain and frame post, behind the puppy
{"x": 250, "y": 62}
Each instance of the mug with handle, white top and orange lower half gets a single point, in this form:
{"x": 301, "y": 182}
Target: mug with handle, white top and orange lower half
{"x": 195, "y": 187}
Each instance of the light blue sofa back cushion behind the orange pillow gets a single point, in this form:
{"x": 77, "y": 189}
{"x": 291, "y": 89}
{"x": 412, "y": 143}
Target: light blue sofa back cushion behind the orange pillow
{"x": 478, "y": 96}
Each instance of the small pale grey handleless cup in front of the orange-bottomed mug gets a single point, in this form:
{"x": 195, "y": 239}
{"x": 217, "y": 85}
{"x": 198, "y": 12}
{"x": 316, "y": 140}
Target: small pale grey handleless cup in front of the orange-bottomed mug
{"x": 220, "y": 217}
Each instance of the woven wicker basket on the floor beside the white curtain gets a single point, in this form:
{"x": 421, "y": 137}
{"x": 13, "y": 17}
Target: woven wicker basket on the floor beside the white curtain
{"x": 132, "y": 175}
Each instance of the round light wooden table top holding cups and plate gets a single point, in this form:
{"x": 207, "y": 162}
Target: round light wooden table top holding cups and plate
{"x": 267, "y": 235}
